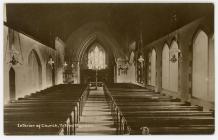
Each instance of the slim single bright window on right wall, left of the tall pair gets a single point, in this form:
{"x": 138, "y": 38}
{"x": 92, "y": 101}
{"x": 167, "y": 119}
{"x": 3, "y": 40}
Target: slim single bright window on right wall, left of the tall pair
{"x": 153, "y": 68}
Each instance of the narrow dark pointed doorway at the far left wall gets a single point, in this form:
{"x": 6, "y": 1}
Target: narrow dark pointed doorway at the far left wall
{"x": 12, "y": 86}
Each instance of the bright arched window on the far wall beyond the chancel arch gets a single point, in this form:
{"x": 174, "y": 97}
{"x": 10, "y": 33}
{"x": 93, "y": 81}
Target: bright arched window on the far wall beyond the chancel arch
{"x": 96, "y": 57}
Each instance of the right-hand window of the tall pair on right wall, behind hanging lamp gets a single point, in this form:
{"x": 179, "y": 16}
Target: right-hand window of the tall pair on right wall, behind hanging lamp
{"x": 174, "y": 67}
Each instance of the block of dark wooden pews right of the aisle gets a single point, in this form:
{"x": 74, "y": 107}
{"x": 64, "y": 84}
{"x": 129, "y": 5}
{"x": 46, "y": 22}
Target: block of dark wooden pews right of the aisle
{"x": 137, "y": 110}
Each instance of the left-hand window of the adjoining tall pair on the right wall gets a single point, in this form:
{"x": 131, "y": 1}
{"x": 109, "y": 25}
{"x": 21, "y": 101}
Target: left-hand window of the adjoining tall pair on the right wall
{"x": 165, "y": 67}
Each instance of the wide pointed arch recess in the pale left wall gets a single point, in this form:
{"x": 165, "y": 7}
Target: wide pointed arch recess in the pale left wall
{"x": 35, "y": 71}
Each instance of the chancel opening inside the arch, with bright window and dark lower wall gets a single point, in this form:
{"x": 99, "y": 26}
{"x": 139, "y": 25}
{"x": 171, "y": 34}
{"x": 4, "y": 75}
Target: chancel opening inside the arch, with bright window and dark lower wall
{"x": 97, "y": 61}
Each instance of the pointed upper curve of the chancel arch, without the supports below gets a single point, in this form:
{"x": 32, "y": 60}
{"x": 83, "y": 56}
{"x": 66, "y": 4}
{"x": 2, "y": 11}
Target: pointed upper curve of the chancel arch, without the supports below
{"x": 76, "y": 45}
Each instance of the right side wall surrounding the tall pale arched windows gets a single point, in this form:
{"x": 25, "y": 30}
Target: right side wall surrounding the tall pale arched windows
{"x": 186, "y": 36}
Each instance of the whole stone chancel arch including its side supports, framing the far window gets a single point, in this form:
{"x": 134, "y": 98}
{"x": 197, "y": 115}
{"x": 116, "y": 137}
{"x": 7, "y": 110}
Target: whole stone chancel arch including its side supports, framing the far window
{"x": 77, "y": 52}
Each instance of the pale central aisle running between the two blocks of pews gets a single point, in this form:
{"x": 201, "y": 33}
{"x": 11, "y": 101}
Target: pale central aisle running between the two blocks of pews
{"x": 96, "y": 118}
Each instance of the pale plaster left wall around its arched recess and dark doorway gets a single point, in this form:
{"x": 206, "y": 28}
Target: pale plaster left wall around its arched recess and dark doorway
{"x": 22, "y": 73}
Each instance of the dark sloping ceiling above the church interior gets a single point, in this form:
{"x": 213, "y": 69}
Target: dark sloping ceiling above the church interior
{"x": 46, "y": 21}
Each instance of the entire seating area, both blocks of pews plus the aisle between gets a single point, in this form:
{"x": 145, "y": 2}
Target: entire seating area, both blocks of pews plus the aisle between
{"x": 110, "y": 110}
